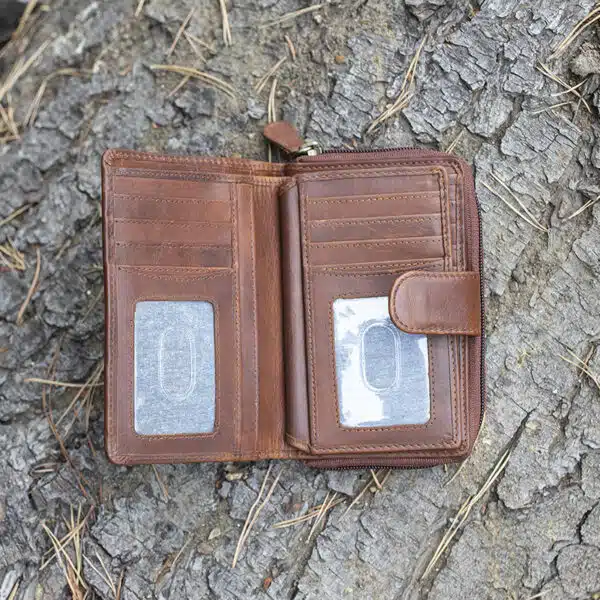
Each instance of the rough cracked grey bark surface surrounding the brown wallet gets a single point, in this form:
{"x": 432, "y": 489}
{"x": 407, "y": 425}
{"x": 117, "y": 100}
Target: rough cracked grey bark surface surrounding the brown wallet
{"x": 537, "y": 530}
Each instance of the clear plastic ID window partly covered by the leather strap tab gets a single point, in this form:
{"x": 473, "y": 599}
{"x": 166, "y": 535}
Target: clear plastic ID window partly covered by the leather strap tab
{"x": 382, "y": 373}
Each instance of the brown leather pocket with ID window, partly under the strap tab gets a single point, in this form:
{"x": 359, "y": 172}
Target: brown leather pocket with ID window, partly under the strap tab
{"x": 372, "y": 387}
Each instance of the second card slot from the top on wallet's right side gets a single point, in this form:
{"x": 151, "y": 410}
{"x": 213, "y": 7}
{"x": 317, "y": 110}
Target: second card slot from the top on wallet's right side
{"x": 373, "y": 205}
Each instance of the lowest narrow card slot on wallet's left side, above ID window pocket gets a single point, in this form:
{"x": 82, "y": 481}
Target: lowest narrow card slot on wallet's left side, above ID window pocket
{"x": 176, "y": 255}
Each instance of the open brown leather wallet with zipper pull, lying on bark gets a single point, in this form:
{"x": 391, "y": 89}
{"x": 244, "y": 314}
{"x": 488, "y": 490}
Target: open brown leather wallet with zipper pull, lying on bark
{"x": 328, "y": 308}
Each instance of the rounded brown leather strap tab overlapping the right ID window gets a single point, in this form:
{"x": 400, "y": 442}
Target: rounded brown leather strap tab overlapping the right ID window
{"x": 437, "y": 303}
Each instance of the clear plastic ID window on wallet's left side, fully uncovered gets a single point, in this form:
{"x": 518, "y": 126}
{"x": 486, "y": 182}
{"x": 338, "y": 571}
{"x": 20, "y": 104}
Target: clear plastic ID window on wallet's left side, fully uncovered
{"x": 174, "y": 372}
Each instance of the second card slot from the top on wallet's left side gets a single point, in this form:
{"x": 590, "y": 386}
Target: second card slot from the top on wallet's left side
{"x": 172, "y": 208}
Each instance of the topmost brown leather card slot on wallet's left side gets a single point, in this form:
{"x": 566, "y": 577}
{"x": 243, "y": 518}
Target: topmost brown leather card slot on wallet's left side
{"x": 171, "y": 187}
